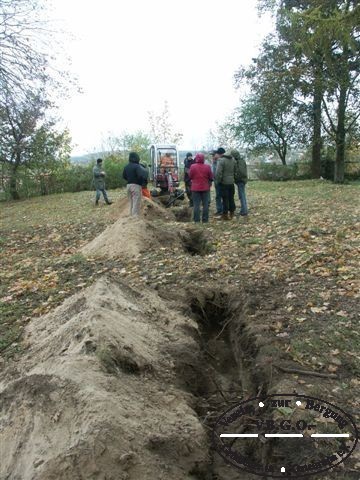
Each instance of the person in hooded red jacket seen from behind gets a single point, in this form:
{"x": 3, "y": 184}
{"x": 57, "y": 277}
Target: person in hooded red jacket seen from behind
{"x": 201, "y": 177}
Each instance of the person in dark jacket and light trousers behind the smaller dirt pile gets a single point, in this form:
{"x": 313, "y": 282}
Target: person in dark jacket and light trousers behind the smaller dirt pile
{"x": 136, "y": 177}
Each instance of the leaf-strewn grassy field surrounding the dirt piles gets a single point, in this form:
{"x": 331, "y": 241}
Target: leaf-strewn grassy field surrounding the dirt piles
{"x": 304, "y": 235}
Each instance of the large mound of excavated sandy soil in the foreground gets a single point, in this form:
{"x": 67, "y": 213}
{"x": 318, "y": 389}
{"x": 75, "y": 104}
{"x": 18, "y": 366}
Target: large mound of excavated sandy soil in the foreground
{"x": 100, "y": 394}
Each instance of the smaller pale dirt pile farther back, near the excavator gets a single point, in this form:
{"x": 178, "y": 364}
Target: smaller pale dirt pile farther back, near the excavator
{"x": 130, "y": 236}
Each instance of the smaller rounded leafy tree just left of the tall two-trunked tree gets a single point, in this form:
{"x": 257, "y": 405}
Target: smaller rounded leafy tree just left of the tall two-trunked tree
{"x": 272, "y": 116}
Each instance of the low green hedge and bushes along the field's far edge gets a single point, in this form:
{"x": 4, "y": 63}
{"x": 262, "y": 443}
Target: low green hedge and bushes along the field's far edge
{"x": 75, "y": 177}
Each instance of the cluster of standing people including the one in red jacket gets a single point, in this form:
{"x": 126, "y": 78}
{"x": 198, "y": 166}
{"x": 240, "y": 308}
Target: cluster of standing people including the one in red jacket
{"x": 228, "y": 169}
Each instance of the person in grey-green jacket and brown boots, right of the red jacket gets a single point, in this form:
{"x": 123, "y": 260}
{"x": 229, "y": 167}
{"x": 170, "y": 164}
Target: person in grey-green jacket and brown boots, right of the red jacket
{"x": 226, "y": 172}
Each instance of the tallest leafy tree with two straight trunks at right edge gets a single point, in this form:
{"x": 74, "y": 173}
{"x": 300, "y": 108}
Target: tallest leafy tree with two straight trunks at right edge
{"x": 324, "y": 36}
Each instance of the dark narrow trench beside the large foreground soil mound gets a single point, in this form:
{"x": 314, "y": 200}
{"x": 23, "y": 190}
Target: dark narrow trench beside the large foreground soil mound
{"x": 226, "y": 373}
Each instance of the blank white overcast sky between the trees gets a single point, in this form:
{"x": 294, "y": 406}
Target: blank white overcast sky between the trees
{"x": 131, "y": 55}
